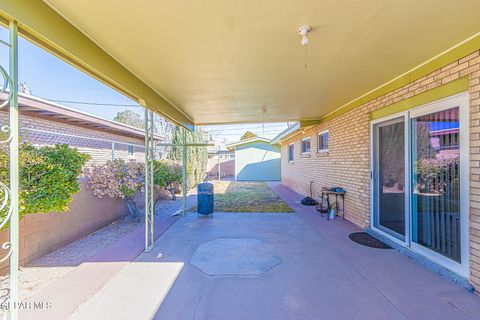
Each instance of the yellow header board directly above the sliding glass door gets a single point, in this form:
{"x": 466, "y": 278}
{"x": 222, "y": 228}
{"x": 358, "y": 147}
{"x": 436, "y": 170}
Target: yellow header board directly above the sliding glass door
{"x": 443, "y": 91}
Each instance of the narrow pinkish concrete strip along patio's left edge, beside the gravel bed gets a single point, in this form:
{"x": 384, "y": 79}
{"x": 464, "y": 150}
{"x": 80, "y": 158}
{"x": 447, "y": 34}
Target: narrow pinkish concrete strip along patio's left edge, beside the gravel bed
{"x": 78, "y": 286}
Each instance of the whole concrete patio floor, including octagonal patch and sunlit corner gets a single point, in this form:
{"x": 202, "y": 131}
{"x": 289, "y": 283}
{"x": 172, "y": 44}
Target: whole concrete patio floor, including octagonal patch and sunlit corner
{"x": 320, "y": 274}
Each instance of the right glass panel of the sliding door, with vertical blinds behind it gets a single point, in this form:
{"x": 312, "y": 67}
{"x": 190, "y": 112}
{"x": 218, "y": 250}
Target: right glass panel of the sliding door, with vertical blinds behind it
{"x": 436, "y": 182}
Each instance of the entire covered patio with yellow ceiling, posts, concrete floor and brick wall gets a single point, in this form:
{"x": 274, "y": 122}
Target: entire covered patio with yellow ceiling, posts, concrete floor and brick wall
{"x": 340, "y": 70}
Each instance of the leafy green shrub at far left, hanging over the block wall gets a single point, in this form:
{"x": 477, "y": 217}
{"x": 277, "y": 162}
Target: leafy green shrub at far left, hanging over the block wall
{"x": 48, "y": 176}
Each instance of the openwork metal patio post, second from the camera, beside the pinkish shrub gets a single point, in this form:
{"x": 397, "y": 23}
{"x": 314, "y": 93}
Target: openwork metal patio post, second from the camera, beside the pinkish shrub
{"x": 149, "y": 201}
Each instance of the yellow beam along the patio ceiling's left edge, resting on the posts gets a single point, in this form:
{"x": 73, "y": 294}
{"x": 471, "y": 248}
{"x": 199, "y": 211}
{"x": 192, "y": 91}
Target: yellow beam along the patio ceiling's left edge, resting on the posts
{"x": 49, "y": 30}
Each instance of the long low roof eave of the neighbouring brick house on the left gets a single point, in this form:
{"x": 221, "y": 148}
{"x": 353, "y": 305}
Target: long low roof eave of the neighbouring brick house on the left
{"x": 48, "y": 110}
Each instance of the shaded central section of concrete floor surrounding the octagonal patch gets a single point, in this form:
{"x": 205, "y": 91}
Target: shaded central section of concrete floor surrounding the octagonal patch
{"x": 312, "y": 282}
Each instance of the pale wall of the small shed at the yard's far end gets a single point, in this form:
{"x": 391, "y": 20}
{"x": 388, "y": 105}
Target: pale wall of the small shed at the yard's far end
{"x": 257, "y": 161}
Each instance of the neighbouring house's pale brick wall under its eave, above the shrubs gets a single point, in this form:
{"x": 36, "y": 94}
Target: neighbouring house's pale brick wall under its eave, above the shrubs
{"x": 96, "y": 143}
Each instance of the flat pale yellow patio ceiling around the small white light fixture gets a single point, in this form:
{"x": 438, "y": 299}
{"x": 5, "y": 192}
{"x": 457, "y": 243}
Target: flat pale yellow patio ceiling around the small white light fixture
{"x": 230, "y": 61}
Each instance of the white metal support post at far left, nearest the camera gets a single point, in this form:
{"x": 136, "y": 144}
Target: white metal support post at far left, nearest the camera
{"x": 14, "y": 172}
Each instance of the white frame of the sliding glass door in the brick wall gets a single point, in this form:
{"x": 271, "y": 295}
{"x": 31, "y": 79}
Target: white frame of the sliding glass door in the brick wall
{"x": 462, "y": 102}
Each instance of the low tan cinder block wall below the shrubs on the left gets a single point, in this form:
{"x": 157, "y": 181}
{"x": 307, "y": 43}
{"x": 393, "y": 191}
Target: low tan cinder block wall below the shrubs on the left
{"x": 43, "y": 233}
